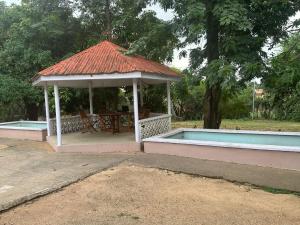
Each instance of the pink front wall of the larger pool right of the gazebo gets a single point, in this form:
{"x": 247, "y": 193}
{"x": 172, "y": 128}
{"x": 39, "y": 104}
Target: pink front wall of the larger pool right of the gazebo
{"x": 266, "y": 158}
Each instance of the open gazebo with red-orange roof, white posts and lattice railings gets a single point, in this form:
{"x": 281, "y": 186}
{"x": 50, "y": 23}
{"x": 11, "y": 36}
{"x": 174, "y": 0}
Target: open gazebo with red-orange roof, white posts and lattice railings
{"x": 104, "y": 65}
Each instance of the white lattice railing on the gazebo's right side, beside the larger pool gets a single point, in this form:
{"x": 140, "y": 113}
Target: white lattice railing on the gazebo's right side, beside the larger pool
{"x": 154, "y": 125}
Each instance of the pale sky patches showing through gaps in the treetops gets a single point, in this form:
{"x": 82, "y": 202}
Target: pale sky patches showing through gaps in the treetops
{"x": 180, "y": 63}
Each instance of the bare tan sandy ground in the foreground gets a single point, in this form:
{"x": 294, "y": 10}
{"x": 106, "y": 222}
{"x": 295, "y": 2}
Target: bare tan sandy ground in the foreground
{"x": 130, "y": 194}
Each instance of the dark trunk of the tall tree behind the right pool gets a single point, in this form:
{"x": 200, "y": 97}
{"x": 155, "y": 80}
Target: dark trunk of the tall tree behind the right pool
{"x": 212, "y": 115}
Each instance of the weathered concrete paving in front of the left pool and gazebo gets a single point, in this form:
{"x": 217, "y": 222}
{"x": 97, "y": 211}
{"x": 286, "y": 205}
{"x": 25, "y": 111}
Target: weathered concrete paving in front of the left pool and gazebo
{"x": 31, "y": 169}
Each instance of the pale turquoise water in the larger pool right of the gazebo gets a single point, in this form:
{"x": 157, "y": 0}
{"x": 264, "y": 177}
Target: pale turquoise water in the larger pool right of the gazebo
{"x": 242, "y": 138}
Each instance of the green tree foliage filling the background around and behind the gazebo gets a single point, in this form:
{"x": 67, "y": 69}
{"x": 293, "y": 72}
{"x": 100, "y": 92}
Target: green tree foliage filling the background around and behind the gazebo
{"x": 38, "y": 33}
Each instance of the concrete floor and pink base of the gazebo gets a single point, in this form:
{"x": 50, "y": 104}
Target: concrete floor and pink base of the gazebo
{"x": 97, "y": 142}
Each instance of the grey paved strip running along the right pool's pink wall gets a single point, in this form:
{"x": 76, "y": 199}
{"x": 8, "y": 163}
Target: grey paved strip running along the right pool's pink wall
{"x": 259, "y": 176}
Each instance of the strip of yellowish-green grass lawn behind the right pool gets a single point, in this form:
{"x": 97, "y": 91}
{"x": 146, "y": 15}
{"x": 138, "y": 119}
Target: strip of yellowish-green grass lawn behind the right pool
{"x": 271, "y": 125}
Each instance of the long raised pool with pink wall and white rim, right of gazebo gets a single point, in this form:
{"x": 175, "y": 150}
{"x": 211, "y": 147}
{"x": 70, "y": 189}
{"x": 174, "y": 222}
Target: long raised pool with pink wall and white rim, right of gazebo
{"x": 272, "y": 149}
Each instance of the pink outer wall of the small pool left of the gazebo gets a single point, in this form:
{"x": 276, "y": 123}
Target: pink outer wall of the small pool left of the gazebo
{"x": 35, "y": 135}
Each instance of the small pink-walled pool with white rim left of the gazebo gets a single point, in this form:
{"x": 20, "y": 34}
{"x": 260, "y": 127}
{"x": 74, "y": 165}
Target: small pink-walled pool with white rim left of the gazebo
{"x": 31, "y": 130}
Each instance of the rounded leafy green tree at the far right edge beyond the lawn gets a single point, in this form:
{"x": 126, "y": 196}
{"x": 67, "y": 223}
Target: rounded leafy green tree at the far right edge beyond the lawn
{"x": 282, "y": 80}
